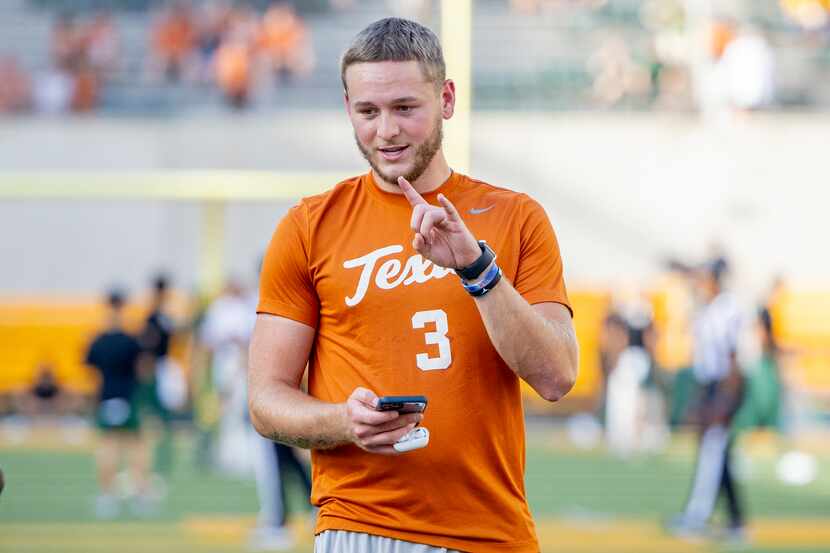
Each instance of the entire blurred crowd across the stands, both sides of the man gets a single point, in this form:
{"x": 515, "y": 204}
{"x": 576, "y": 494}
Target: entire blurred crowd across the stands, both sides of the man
{"x": 718, "y": 63}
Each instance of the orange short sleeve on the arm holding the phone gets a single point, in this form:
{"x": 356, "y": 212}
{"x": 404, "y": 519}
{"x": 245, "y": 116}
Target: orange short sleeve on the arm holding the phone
{"x": 285, "y": 285}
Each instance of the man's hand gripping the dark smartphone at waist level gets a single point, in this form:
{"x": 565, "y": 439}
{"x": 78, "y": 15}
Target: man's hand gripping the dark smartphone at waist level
{"x": 375, "y": 431}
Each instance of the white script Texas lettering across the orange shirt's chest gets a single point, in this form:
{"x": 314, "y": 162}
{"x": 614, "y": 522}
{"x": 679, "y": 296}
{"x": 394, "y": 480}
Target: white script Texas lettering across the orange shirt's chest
{"x": 389, "y": 275}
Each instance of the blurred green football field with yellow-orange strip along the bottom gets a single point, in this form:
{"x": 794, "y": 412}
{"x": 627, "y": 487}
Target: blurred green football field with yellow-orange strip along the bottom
{"x": 582, "y": 501}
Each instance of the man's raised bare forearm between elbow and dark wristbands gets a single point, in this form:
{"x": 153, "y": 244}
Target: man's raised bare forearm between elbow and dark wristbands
{"x": 540, "y": 351}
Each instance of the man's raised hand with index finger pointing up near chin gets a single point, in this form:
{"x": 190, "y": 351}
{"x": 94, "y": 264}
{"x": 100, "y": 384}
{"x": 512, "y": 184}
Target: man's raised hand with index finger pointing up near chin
{"x": 440, "y": 234}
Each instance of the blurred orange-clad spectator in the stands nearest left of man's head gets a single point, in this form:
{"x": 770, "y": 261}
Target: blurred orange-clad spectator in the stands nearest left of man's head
{"x": 284, "y": 42}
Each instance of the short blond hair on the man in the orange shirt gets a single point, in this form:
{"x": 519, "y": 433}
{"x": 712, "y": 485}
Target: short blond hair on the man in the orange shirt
{"x": 396, "y": 39}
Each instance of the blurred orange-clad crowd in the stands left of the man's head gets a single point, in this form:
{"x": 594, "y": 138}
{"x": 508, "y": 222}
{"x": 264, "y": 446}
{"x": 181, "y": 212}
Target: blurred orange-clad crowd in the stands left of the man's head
{"x": 229, "y": 47}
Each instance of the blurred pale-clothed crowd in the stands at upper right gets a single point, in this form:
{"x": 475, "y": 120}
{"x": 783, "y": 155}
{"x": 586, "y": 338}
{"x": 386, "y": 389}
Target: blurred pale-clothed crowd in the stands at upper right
{"x": 731, "y": 70}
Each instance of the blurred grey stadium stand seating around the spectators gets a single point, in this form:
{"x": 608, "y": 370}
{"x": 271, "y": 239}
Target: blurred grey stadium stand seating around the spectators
{"x": 553, "y": 73}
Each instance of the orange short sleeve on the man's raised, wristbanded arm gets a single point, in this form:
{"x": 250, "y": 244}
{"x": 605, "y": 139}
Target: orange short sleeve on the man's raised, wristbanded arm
{"x": 539, "y": 275}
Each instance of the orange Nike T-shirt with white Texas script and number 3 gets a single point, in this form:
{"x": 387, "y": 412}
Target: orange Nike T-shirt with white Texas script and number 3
{"x": 390, "y": 321}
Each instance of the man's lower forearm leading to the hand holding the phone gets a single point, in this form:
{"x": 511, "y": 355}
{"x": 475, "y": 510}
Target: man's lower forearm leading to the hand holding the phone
{"x": 287, "y": 415}
